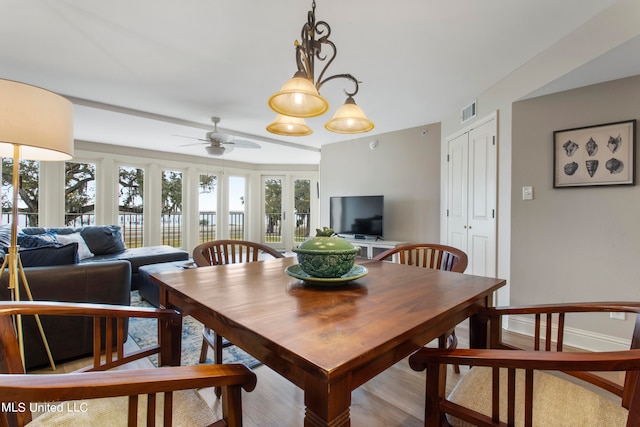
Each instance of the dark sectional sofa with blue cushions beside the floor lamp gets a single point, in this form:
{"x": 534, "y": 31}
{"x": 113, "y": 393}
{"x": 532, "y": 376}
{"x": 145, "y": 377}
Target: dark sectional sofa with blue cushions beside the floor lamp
{"x": 87, "y": 264}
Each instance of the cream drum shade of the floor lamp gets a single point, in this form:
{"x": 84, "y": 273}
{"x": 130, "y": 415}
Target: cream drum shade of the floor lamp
{"x": 39, "y": 121}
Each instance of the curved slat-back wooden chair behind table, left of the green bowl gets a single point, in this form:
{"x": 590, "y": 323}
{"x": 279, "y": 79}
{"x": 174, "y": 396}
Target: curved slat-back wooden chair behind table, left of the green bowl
{"x": 218, "y": 252}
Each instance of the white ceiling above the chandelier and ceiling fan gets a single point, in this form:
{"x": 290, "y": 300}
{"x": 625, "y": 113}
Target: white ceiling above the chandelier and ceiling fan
{"x": 151, "y": 74}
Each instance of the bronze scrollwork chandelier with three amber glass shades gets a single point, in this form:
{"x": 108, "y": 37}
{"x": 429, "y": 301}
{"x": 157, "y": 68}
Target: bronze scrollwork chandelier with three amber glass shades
{"x": 299, "y": 98}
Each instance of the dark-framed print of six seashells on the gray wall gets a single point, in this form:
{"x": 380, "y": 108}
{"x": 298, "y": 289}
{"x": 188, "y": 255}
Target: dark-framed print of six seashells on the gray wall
{"x": 597, "y": 155}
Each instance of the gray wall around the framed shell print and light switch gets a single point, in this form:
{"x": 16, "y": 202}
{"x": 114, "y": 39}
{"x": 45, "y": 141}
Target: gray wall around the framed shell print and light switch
{"x": 572, "y": 244}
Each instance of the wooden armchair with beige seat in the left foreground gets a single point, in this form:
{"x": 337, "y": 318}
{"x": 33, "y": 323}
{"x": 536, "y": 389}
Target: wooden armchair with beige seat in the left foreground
{"x": 103, "y": 395}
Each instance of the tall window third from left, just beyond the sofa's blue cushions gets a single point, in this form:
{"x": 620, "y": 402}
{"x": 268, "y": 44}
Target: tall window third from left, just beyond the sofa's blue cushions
{"x": 131, "y": 205}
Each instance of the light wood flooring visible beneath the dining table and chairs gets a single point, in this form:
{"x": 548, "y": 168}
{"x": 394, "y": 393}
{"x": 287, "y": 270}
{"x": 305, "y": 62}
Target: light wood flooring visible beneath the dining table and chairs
{"x": 393, "y": 398}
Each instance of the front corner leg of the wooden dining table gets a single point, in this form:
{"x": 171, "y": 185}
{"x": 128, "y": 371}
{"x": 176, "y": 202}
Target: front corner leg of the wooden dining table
{"x": 327, "y": 405}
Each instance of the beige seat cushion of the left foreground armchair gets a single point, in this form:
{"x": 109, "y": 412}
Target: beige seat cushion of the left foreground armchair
{"x": 189, "y": 409}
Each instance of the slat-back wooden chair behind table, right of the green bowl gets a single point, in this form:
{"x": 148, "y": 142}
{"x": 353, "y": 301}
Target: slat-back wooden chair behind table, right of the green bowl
{"x": 435, "y": 256}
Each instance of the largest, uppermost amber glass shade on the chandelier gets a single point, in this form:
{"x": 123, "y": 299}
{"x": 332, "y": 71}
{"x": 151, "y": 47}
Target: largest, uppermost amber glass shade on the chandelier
{"x": 299, "y": 98}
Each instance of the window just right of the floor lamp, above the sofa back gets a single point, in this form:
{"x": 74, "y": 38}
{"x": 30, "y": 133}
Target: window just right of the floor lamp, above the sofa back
{"x": 80, "y": 194}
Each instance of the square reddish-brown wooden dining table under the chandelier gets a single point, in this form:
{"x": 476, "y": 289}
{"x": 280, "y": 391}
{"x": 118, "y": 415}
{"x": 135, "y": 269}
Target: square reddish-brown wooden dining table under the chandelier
{"x": 329, "y": 340}
